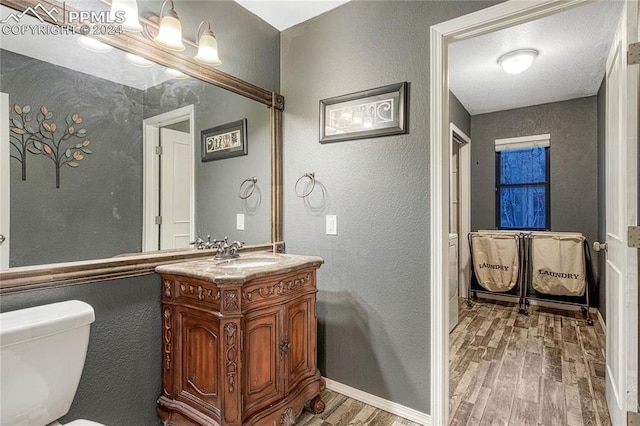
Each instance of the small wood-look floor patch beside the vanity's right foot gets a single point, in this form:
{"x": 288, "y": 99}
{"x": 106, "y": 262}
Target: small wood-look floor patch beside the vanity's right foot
{"x": 344, "y": 411}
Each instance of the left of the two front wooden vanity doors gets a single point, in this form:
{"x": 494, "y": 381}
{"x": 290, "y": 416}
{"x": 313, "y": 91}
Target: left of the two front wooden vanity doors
{"x": 262, "y": 366}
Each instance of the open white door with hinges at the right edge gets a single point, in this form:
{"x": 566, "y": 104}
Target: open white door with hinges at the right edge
{"x": 621, "y": 211}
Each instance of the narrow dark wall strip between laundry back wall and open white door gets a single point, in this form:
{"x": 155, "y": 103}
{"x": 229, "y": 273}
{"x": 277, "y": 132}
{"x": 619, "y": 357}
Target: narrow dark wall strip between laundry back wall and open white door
{"x": 600, "y": 258}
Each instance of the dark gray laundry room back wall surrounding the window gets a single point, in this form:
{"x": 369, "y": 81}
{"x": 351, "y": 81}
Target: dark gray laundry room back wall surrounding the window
{"x": 573, "y": 126}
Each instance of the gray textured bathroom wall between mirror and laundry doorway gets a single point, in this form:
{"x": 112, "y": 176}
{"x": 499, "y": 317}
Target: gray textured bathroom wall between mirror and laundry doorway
{"x": 373, "y": 308}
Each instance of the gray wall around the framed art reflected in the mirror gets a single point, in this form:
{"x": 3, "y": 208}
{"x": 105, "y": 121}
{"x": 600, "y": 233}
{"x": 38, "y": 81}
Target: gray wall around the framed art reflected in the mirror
{"x": 217, "y": 182}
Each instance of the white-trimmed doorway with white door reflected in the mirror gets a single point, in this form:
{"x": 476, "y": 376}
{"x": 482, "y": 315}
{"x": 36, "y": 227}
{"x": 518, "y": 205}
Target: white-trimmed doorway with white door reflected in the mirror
{"x": 169, "y": 176}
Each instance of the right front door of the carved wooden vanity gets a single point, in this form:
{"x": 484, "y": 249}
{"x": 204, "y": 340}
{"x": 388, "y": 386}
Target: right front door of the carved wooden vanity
{"x": 301, "y": 335}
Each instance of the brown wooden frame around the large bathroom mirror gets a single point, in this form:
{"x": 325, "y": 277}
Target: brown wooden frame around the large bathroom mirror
{"x": 60, "y": 274}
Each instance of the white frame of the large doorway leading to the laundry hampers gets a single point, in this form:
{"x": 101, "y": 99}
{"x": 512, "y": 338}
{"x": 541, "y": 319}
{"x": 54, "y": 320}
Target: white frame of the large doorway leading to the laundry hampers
{"x": 484, "y": 21}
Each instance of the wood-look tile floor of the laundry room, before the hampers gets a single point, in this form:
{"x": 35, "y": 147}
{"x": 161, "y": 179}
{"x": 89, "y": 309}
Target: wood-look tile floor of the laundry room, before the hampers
{"x": 547, "y": 368}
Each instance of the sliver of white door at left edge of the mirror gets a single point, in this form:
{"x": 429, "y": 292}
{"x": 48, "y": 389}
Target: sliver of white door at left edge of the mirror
{"x": 5, "y": 211}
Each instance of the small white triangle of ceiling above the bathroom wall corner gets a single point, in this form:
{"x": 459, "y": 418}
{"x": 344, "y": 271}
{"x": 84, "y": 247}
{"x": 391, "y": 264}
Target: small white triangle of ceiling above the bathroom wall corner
{"x": 287, "y": 13}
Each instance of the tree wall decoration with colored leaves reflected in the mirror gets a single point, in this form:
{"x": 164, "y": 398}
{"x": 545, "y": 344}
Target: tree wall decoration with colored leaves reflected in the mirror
{"x": 47, "y": 140}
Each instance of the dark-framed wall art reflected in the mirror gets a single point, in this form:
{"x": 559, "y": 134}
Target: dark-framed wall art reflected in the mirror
{"x": 224, "y": 141}
